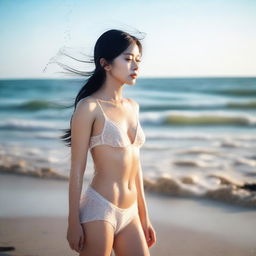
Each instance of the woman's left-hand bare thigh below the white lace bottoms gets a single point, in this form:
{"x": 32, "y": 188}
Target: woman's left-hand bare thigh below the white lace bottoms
{"x": 98, "y": 238}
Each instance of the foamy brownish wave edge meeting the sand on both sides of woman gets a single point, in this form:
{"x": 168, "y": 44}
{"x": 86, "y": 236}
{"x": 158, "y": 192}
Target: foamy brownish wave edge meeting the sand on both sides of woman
{"x": 224, "y": 189}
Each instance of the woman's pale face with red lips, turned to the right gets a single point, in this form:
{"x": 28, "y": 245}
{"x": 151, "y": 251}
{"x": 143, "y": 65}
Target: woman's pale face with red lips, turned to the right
{"x": 126, "y": 64}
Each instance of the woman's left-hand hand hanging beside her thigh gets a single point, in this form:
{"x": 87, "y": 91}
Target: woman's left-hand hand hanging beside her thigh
{"x": 75, "y": 236}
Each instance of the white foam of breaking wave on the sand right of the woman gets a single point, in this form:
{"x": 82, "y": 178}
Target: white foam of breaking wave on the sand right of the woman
{"x": 215, "y": 186}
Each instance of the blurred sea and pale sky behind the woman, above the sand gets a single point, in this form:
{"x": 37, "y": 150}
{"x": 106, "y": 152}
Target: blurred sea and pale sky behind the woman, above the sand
{"x": 196, "y": 89}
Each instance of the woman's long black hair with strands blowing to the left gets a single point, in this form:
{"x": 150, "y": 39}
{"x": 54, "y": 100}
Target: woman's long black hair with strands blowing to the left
{"x": 108, "y": 46}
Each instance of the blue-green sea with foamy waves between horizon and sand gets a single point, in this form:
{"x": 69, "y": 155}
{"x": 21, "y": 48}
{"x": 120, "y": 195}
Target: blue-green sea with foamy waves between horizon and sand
{"x": 200, "y": 133}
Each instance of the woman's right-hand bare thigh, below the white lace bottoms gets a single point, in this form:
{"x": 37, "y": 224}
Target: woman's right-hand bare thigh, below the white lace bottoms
{"x": 131, "y": 240}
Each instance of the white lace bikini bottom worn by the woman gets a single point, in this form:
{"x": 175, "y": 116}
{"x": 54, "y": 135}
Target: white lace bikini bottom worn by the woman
{"x": 93, "y": 206}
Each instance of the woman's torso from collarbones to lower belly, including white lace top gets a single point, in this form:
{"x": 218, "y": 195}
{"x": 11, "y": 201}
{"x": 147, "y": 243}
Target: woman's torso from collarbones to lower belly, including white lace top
{"x": 116, "y": 151}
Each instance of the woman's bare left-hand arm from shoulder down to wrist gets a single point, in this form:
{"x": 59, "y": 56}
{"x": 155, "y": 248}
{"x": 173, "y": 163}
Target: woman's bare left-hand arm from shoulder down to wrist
{"x": 81, "y": 126}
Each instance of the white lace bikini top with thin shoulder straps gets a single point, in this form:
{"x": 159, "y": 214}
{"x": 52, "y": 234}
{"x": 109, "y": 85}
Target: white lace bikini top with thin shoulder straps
{"x": 113, "y": 135}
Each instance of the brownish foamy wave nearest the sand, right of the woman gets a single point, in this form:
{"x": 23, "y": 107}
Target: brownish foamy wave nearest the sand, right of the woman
{"x": 227, "y": 191}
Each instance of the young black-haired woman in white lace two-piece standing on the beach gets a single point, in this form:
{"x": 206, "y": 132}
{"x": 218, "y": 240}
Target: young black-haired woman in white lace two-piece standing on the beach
{"x": 112, "y": 214}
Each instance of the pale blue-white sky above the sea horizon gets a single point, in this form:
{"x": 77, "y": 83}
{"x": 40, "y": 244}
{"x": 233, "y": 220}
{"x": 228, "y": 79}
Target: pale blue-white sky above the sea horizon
{"x": 183, "y": 38}
